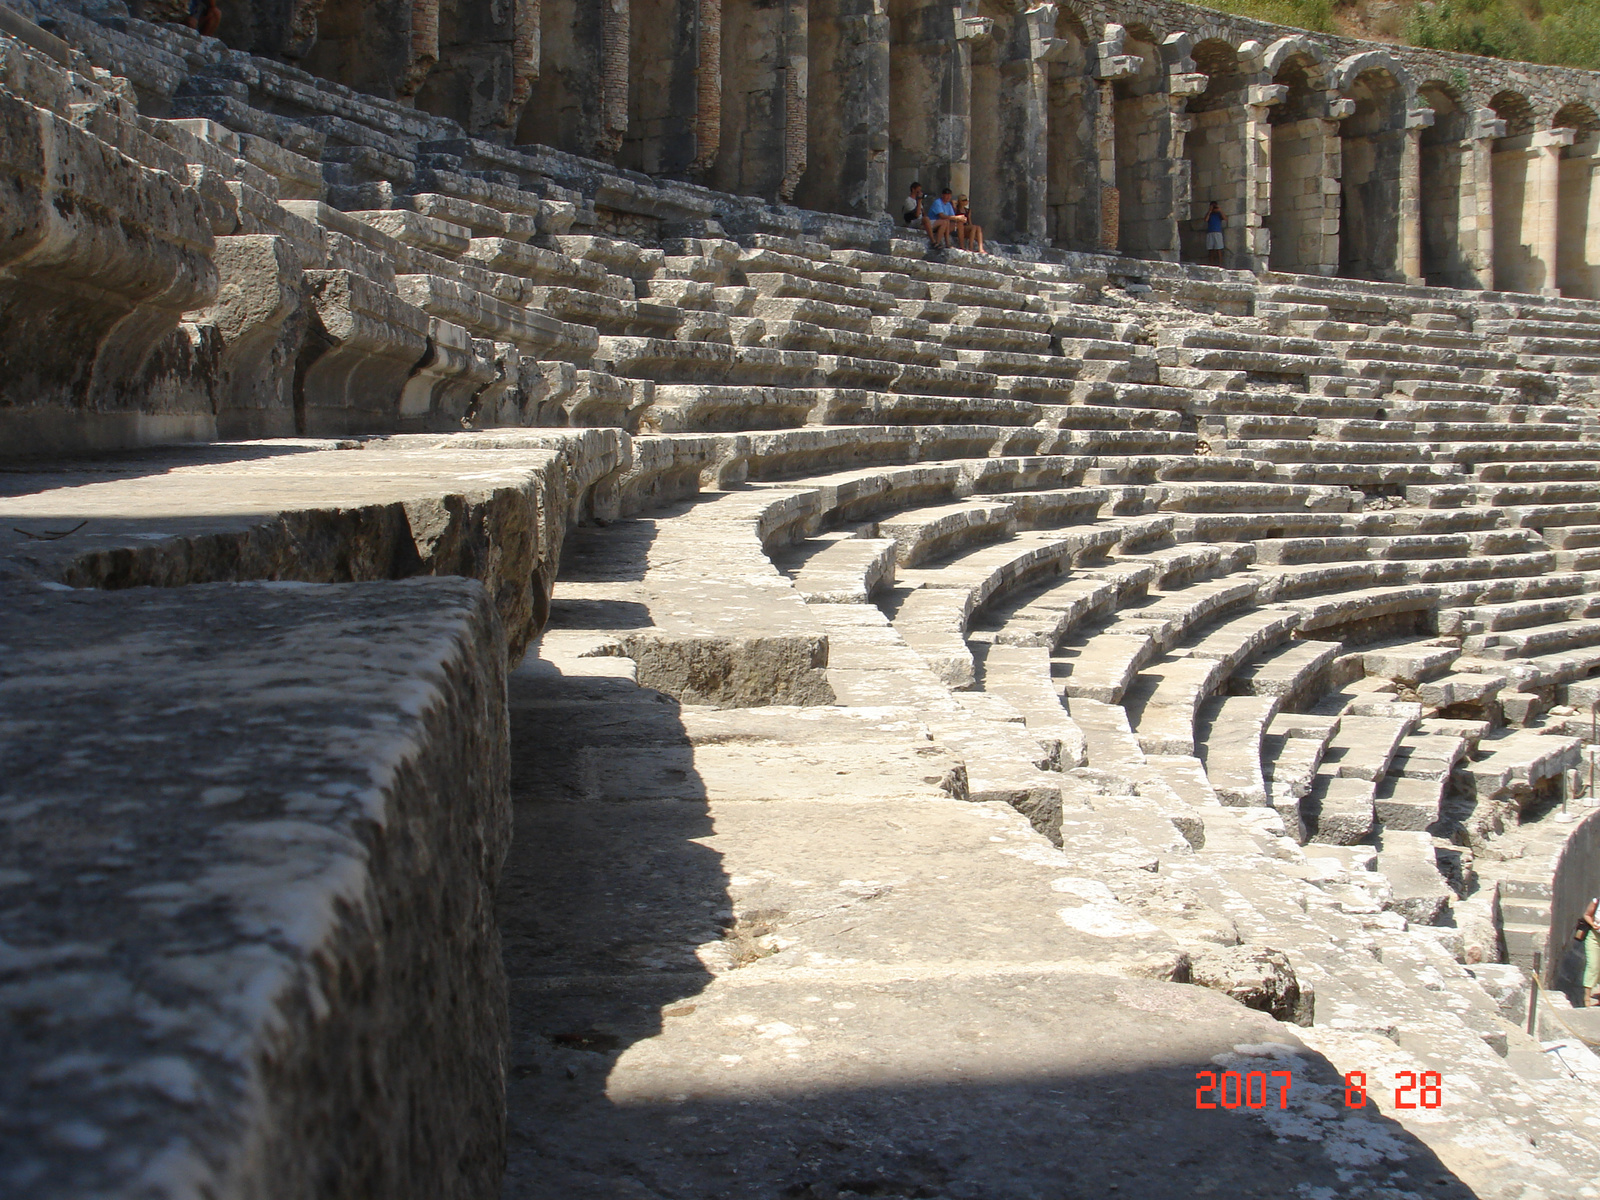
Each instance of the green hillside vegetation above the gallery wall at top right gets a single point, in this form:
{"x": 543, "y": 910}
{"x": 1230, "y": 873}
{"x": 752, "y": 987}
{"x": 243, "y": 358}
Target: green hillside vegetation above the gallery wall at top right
{"x": 1562, "y": 33}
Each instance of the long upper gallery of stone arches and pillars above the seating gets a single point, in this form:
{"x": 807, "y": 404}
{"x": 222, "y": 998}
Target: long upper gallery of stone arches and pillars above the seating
{"x": 1073, "y": 127}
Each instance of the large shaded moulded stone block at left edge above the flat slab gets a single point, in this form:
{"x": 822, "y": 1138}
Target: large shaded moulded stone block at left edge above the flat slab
{"x": 100, "y": 258}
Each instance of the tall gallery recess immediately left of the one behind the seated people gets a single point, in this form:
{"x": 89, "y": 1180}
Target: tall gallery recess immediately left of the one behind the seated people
{"x": 849, "y": 108}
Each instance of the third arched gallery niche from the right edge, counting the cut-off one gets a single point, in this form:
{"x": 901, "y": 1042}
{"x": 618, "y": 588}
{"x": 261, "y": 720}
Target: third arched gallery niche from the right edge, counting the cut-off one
{"x": 1447, "y": 190}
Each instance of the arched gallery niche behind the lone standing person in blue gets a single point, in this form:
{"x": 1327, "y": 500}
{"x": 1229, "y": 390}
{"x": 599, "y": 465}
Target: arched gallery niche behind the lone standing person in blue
{"x": 1215, "y": 150}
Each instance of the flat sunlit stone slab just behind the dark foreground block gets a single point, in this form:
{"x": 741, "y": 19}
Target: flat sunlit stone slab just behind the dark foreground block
{"x": 494, "y": 508}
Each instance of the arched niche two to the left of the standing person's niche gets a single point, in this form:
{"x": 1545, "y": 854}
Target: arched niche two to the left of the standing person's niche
{"x": 1073, "y": 209}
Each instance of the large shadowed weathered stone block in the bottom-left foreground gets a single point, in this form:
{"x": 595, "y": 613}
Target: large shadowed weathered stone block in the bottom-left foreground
{"x": 265, "y": 961}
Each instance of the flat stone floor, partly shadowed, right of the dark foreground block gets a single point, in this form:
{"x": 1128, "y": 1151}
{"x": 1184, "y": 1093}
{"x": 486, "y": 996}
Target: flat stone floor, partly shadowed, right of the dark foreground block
{"x": 759, "y": 954}
